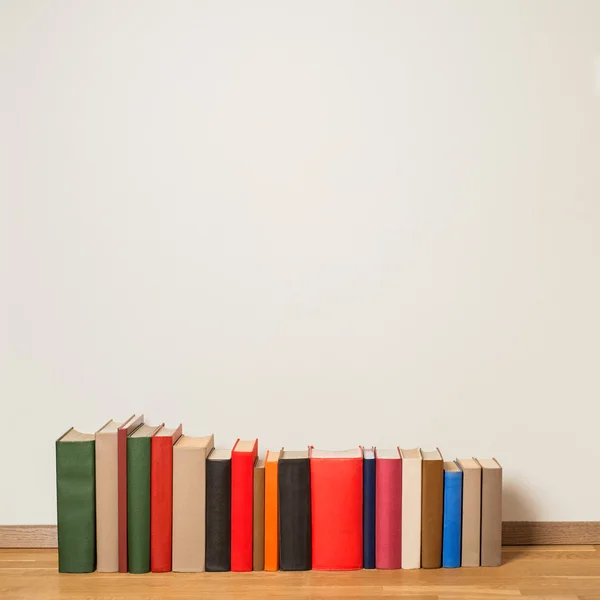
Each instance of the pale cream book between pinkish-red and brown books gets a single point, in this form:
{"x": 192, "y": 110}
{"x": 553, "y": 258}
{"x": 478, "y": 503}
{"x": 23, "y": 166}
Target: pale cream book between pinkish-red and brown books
{"x": 411, "y": 508}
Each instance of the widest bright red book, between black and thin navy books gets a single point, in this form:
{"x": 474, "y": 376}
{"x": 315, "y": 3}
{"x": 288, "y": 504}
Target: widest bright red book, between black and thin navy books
{"x": 336, "y": 505}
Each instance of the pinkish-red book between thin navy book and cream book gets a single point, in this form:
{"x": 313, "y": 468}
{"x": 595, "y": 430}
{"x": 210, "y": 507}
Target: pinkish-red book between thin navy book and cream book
{"x": 388, "y": 509}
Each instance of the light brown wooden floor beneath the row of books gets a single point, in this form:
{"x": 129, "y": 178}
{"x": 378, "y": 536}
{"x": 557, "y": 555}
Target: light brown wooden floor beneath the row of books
{"x": 532, "y": 573}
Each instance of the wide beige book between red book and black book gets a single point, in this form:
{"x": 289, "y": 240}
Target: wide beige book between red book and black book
{"x": 189, "y": 502}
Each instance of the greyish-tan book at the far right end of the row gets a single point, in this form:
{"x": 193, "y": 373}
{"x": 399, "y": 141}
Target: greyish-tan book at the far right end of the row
{"x": 491, "y": 512}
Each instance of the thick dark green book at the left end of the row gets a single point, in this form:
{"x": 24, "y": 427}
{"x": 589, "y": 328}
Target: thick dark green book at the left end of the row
{"x": 76, "y": 502}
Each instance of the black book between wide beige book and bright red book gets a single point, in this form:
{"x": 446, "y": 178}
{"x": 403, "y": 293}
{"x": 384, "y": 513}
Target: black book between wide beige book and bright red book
{"x": 218, "y": 511}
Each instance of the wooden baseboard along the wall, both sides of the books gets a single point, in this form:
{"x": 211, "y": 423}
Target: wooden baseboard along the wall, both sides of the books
{"x": 514, "y": 533}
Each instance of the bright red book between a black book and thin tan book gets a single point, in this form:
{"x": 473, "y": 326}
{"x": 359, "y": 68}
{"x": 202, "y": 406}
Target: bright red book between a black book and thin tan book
{"x": 243, "y": 457}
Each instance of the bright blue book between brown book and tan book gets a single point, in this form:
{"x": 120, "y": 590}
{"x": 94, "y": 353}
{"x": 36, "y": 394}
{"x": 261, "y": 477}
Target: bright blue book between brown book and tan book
{"x": 452, "y": 515}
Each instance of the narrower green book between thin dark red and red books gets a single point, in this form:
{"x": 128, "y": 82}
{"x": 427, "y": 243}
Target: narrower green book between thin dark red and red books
{"x": 138, "y": 498}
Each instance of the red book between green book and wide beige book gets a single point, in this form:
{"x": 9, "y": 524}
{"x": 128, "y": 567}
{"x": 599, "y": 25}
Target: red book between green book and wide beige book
{"x": 161, "y": 498}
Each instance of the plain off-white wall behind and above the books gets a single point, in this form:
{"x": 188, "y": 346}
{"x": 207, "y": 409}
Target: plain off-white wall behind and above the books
{"x": 323, "y": 222}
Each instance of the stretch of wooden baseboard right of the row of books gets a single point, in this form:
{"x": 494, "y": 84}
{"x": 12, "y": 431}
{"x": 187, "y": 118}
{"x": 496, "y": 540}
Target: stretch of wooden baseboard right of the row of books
{"x": 531, "y": 533}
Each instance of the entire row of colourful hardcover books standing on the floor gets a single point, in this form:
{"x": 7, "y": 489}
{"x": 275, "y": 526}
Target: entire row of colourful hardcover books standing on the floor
{"x": 137, "y": 498}
